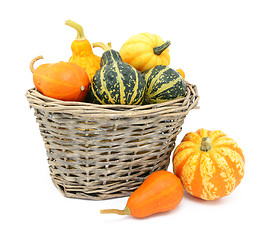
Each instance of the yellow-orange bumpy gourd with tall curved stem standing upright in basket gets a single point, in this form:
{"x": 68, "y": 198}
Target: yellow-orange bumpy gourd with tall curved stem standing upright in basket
{"x": 82, "y": 53}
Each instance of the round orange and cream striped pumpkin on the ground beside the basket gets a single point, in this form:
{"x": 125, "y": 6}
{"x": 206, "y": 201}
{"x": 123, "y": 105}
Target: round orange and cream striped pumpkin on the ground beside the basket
{"x": 209, "y": 164}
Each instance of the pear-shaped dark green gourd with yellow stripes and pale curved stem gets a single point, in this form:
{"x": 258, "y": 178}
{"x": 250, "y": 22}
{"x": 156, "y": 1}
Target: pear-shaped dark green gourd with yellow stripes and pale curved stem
{"x": 116, "y": 82}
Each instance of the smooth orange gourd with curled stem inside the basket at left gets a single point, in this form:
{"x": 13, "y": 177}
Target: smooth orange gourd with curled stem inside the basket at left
{"x": 63, "y": 80}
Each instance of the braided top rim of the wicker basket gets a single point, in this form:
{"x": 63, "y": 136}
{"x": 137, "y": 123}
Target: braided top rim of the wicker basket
{"x": 40, "y": 101}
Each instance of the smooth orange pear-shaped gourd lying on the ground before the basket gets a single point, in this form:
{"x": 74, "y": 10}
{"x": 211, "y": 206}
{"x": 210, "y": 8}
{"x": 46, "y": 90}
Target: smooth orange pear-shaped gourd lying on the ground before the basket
{"x": 161, "y": 191}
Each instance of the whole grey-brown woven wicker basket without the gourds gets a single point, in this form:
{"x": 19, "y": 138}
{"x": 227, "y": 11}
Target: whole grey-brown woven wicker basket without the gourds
{"x": 106, "y": 151}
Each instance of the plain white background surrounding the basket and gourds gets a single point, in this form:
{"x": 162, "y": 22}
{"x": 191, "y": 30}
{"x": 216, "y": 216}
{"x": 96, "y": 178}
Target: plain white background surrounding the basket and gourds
{"x": 223, "y": 47}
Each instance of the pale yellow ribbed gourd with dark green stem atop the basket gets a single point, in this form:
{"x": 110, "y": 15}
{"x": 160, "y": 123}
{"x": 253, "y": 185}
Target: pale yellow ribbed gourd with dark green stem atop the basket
{"x": 144, "y": 51}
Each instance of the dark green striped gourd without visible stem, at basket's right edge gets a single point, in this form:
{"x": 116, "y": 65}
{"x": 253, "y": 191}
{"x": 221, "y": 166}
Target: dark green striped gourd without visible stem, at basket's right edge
{"x": 163, "y": 84}
